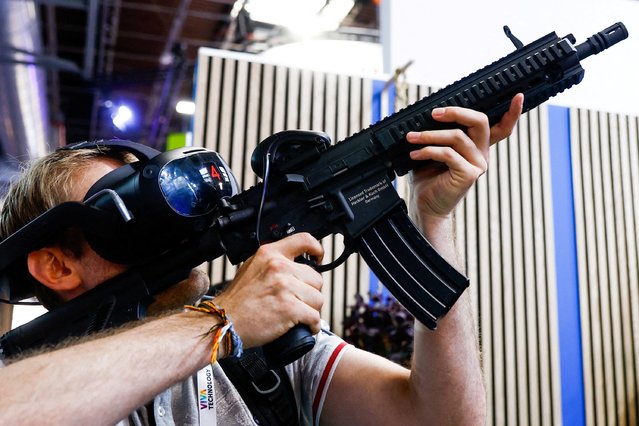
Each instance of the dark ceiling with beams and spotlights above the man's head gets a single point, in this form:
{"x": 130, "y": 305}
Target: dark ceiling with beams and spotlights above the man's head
{"x": 144, "y": 53}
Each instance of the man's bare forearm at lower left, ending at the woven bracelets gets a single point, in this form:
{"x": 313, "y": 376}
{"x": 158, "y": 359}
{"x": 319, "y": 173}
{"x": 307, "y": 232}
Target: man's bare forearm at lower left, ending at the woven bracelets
{"x": 103, "y": 380}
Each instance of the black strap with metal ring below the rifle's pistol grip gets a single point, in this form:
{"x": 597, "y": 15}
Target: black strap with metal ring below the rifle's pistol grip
{"x": 267, "y": 393}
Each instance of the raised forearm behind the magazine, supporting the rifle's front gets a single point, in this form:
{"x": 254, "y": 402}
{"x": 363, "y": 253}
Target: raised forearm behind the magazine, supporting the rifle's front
{"x": 446, "y": 362}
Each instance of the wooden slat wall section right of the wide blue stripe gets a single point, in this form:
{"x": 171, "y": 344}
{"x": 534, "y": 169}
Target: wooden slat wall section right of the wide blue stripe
{"x": 606, "y": 186}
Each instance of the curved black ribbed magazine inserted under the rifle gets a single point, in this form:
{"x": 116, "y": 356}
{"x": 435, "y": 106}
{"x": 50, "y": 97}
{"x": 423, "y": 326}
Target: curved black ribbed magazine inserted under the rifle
{"x": 412, "y": 270}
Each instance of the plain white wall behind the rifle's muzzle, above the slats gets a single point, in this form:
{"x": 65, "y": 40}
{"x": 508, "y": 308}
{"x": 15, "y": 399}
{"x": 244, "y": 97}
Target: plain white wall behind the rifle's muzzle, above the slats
{"x": 449, "y": 40}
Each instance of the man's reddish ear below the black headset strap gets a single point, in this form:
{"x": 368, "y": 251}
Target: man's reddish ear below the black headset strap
{"x": 54, "y": 268}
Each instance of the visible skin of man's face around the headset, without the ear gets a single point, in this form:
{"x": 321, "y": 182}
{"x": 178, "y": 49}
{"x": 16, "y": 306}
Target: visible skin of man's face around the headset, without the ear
{"x": 95, "y": 269}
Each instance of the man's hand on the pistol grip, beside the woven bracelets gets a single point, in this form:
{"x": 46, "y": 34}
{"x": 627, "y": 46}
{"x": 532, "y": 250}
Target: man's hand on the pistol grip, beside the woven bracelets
{"x": 271, "y": 292}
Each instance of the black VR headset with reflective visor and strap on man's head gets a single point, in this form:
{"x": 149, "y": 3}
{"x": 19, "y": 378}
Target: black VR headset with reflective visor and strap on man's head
{"x": 132, "y": 214}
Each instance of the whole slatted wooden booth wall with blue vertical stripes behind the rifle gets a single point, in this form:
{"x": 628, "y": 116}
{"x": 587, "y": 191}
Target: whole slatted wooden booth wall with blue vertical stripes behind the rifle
{"x": 548, "y": 235}
